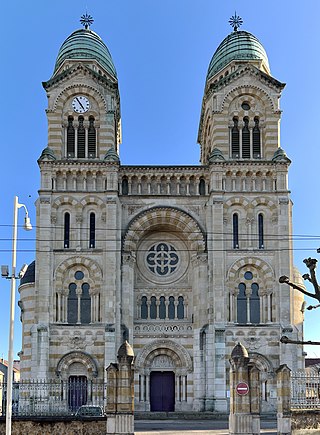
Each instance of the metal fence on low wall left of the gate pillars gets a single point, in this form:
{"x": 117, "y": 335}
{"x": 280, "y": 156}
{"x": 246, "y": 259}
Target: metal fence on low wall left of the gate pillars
{"x": 49, "y": 398}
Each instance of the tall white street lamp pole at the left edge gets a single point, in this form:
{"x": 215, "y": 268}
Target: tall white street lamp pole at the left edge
{"x": 5, "y": 274}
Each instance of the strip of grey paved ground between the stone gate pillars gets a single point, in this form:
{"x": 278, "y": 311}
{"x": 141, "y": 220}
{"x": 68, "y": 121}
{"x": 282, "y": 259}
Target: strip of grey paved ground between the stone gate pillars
{"x": 193, "y": 427}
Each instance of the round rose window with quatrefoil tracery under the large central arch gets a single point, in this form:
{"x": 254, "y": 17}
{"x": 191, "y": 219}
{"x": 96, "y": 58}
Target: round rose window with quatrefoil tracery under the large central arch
{"x": 162, "y": 259}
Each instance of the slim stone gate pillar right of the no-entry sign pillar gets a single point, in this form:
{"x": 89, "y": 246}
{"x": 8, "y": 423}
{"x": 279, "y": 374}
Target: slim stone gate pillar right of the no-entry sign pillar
{"x": 283, "y": 398}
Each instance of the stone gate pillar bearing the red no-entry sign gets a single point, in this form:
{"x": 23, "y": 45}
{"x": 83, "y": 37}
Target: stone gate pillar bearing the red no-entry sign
{"x": 244, "y": 398}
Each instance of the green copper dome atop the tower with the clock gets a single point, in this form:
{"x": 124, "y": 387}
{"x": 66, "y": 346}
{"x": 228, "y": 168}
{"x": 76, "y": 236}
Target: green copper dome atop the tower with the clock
{"x": 84, "y": 44}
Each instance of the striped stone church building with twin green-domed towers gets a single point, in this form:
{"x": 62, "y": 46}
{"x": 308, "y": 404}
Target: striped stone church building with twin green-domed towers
{"x": 181, "y": 261}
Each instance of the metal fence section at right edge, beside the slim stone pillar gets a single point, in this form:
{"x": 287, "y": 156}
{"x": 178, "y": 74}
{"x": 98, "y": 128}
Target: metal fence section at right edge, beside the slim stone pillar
{"x": 305, "y": 390}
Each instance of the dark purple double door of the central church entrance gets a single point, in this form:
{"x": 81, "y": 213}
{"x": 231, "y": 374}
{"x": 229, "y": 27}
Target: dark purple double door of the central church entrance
{"x": 162, "y": 391}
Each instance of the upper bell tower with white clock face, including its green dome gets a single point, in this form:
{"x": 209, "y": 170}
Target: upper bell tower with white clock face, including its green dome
{"x": 83, "y": 99}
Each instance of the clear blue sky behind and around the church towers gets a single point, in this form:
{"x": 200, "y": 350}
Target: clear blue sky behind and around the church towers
{"x": 161, "y": 50}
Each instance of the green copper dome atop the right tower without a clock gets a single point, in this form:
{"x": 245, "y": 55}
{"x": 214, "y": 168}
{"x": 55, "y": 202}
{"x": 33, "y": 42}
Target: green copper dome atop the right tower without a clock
{"x": 239, "y": 45}
